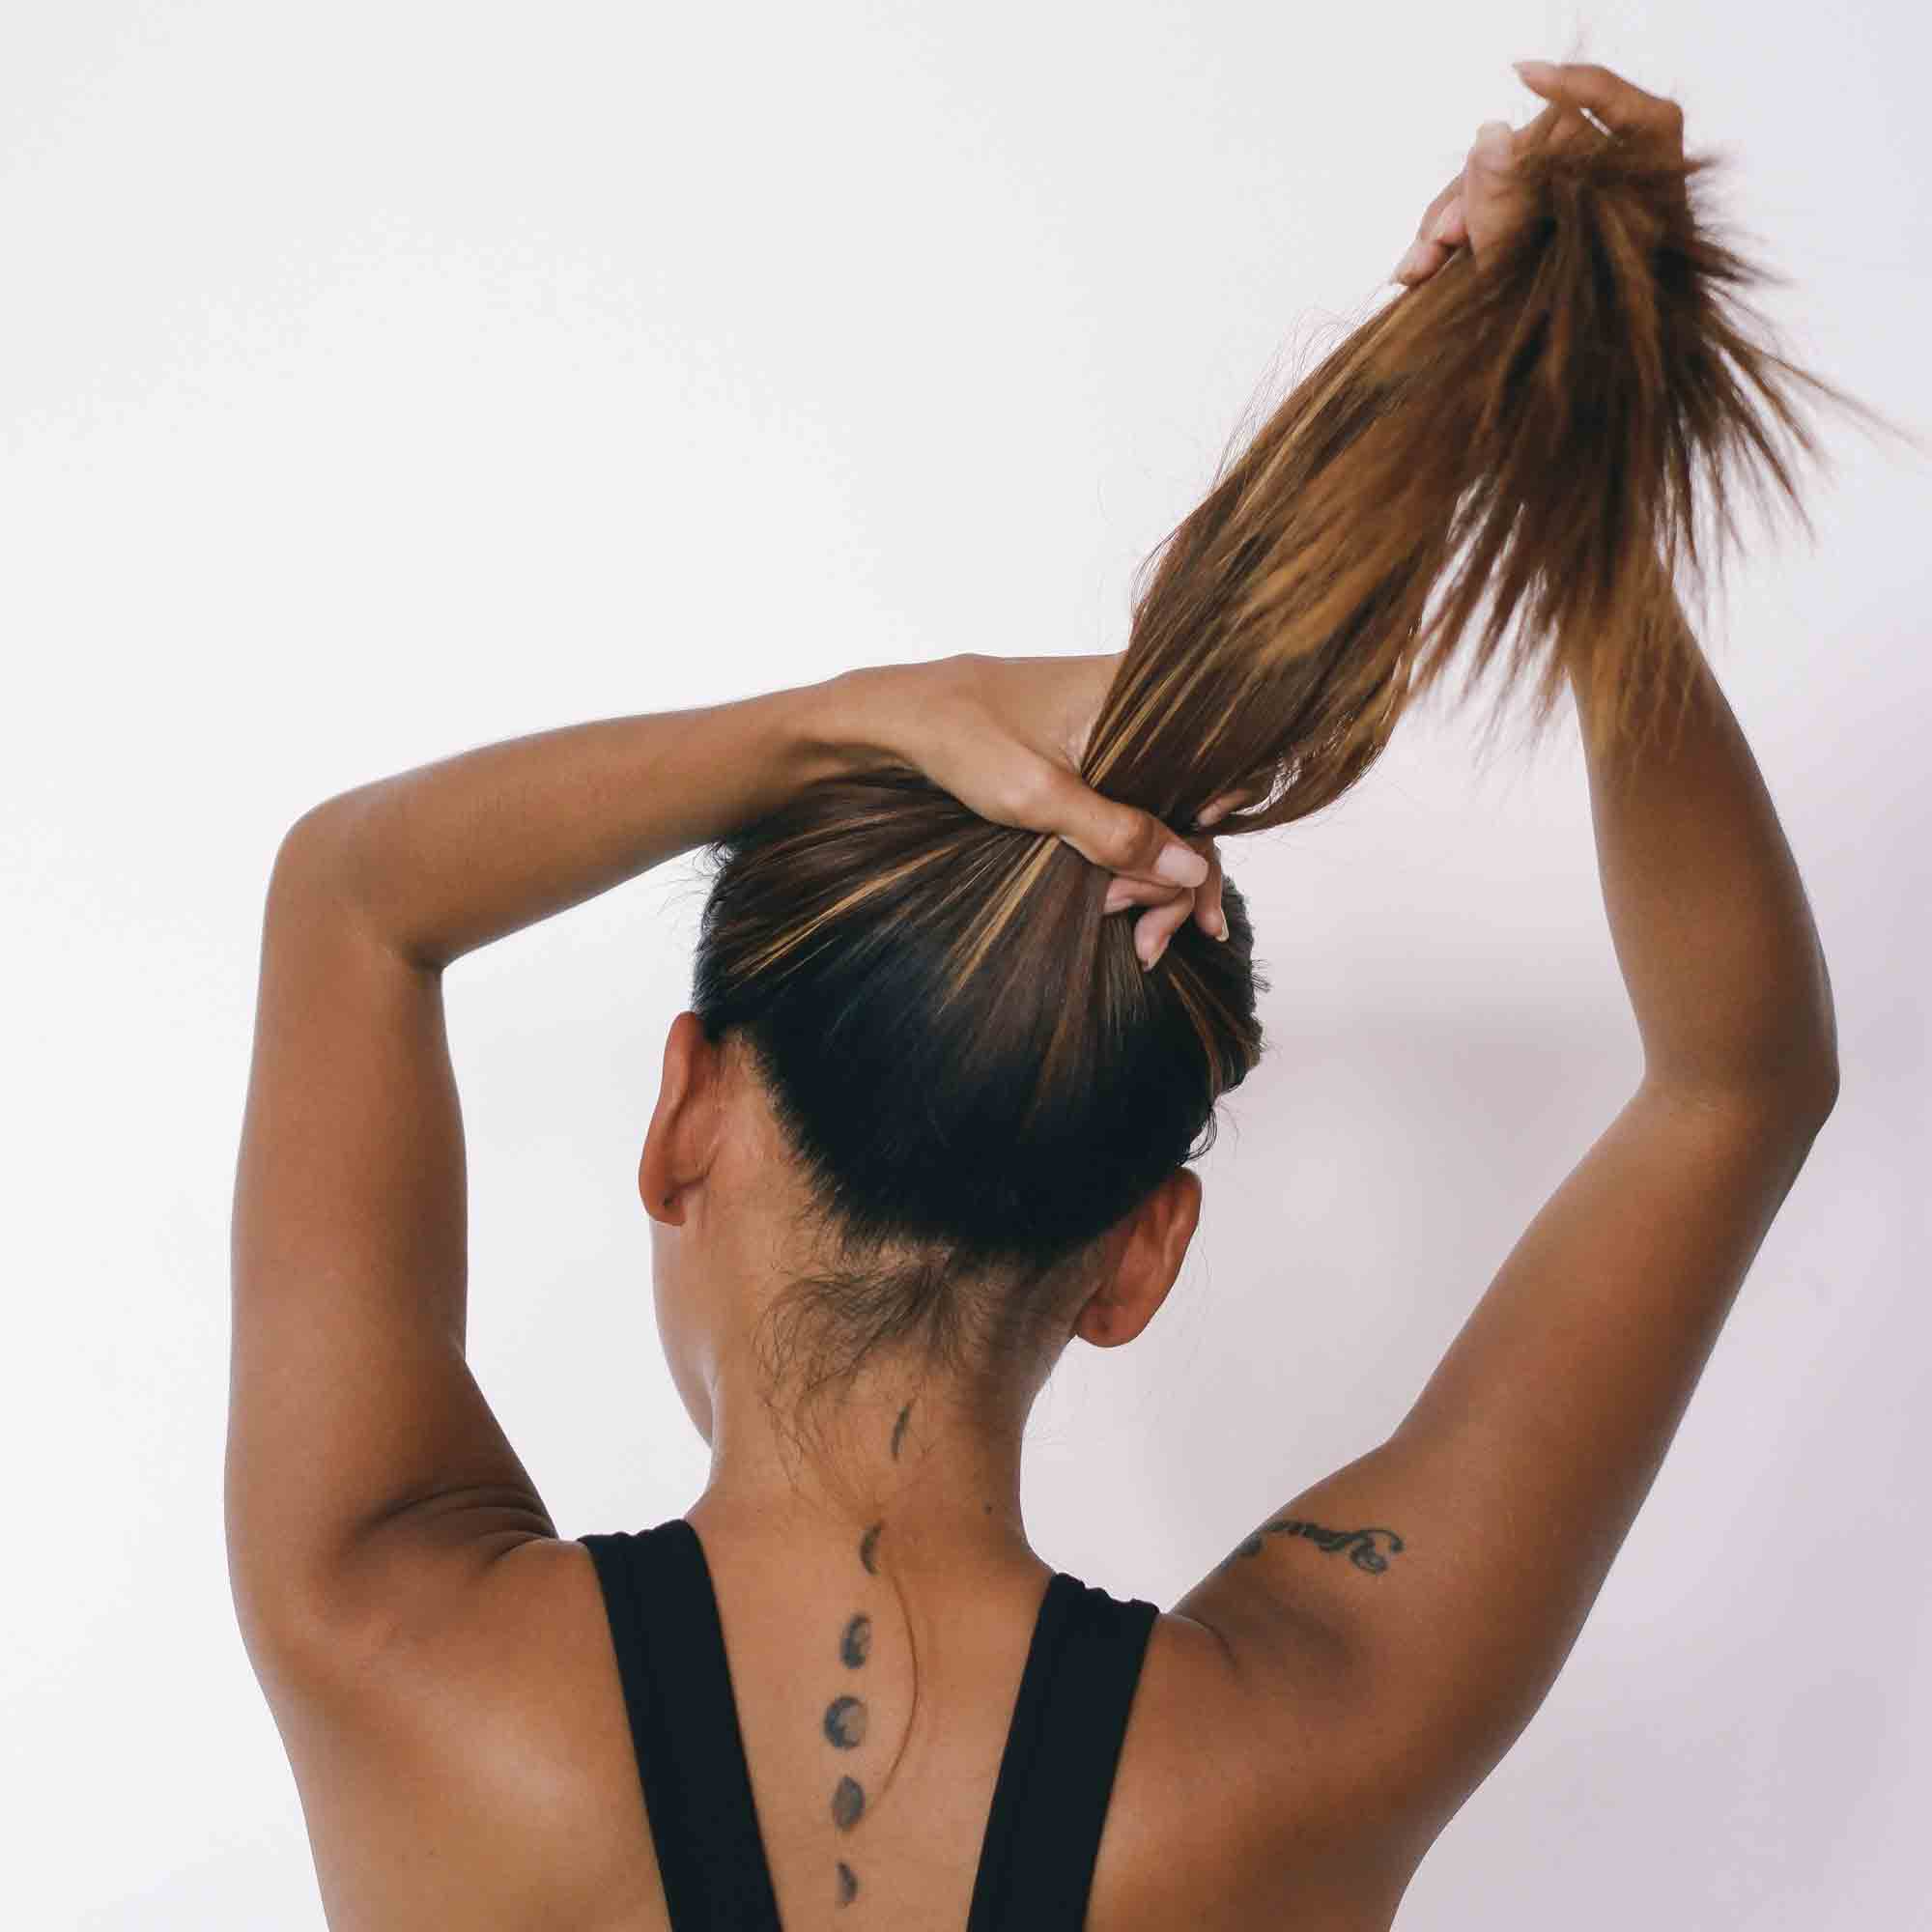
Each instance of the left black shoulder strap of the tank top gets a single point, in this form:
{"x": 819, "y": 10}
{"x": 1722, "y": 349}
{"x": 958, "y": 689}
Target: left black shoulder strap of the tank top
{"x": 685, "y": 1726}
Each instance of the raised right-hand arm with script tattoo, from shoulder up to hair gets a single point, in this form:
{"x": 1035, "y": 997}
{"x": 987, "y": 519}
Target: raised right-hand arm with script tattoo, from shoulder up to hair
{"x": 1502, "y": 1500}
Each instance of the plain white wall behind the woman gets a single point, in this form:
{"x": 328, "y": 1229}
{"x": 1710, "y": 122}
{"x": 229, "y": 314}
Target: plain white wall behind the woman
{"x": 378, "y": 382}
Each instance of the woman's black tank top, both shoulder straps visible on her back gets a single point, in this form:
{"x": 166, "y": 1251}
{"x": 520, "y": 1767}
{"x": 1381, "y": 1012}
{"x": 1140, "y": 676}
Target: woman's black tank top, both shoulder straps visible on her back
{"x": 1056, "y": 1775}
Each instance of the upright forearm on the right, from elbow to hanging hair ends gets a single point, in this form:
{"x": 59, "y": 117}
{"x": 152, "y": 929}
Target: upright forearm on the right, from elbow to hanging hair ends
{"x": 1707, "y": 909}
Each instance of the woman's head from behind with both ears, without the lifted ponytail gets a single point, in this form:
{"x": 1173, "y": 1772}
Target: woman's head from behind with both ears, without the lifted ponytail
{"x": 923, "y": 1162}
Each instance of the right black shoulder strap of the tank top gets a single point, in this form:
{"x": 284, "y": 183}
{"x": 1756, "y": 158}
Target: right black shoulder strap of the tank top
{"x": 1056, "y": 1778}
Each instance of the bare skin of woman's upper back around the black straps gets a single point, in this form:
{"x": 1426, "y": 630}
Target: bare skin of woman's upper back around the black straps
{"x": 482, "y": 1773}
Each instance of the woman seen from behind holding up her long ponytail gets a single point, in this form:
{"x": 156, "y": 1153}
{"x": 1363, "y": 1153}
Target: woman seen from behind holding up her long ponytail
{"x": 965, "y": 1004}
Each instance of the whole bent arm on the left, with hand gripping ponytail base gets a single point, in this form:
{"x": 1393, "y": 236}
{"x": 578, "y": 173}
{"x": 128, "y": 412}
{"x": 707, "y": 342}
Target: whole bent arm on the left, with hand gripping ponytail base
{"x": 364, "y": 1467}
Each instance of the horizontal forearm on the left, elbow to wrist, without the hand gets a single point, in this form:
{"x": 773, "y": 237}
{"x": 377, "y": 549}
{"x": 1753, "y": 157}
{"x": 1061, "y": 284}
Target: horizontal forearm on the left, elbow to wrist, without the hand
{"x": 455, "y": 855}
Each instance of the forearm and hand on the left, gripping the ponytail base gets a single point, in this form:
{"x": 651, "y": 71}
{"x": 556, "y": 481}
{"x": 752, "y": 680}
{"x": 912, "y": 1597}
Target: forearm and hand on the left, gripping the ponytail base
{"x": 451, "y": 857}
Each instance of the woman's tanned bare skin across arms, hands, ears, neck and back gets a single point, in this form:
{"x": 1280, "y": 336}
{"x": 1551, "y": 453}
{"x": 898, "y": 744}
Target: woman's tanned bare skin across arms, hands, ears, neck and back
{"x": 1311, "y": 1715}
